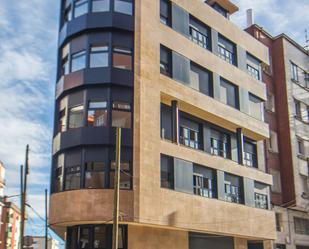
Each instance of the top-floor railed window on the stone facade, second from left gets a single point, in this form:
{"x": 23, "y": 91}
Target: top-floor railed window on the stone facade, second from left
{"x": 199, "y": 33}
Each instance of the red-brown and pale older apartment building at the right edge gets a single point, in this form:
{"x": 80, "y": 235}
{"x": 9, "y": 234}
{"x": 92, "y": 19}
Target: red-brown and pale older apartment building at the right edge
{"x": 287, "y": 153}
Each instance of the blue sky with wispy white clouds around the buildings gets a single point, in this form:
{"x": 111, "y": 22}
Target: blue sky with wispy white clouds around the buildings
{"x": 28, "y": 48}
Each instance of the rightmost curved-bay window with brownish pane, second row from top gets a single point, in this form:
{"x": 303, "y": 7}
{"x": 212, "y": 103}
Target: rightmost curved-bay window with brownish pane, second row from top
{"x": 122, "y": 58}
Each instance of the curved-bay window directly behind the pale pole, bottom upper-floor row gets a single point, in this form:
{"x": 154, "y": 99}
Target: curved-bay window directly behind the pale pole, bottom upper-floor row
{"x": 125, "y": 175}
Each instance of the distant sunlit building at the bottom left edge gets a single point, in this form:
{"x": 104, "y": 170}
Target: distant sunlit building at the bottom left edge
{"x": 10, "y": 235}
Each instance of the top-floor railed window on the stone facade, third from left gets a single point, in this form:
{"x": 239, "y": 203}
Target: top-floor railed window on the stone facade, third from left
{"x": 227, "y": 50}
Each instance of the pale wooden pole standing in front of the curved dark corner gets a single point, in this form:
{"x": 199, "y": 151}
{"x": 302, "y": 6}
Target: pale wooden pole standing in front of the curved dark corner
{"x": 116, "y": 189}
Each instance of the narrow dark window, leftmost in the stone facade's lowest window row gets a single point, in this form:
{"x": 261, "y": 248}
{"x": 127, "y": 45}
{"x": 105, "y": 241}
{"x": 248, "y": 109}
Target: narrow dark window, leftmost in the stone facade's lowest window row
{"x": 167, "y": 172}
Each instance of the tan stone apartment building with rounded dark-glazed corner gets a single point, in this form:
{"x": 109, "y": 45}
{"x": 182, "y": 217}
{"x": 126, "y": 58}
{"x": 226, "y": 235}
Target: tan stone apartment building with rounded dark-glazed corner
{"x": 185, "y": 84}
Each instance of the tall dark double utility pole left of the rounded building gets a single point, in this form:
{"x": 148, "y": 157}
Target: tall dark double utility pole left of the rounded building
{"x": 24, "y": 196}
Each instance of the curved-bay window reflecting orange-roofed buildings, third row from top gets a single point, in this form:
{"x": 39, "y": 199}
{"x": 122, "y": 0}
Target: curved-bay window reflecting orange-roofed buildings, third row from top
{"x": 97, "y": 114}
